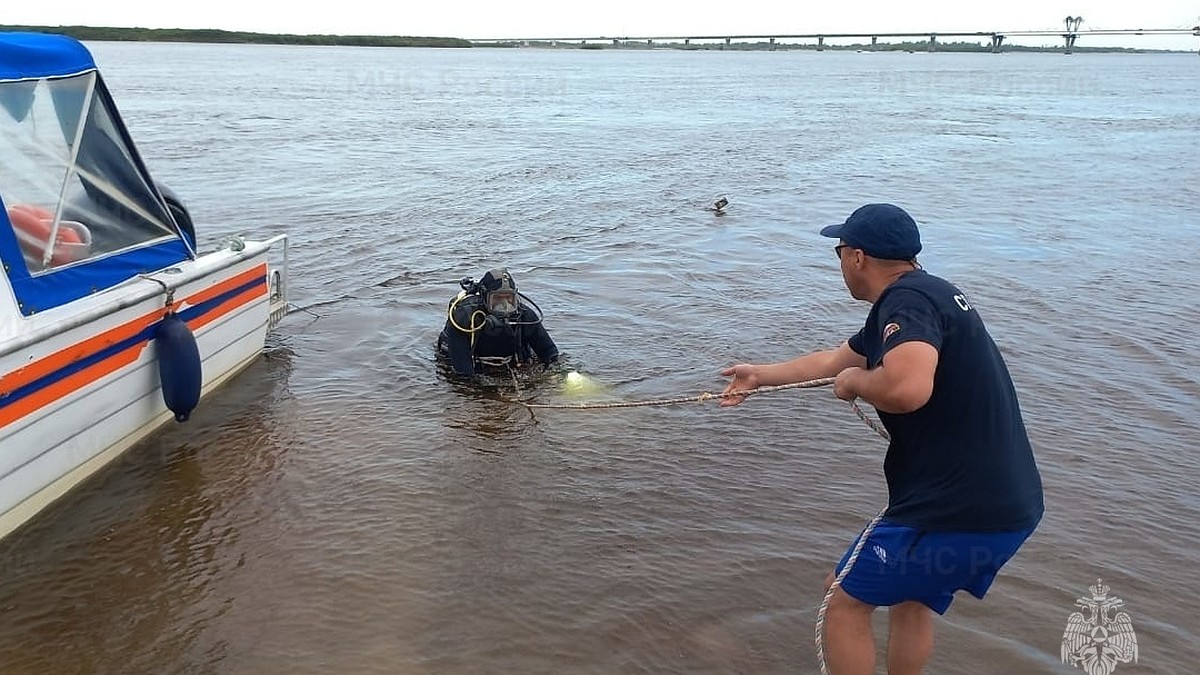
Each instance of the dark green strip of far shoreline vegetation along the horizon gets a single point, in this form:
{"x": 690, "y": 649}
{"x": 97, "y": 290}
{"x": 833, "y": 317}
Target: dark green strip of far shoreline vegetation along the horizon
{"x": 244, "y": 38}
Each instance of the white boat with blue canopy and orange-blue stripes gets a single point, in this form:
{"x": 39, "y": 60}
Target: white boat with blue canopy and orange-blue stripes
{"x": 107, "y": 310}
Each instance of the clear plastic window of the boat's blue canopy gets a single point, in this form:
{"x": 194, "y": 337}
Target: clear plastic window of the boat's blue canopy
{"x": 73, "y": 184}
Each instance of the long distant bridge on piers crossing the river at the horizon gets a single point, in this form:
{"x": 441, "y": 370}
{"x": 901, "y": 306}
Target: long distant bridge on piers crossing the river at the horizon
{"x": 995, "y": 38}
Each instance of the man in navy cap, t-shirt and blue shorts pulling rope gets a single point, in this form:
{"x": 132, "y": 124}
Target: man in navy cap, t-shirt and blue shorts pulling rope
{"x": 964, "y": 491}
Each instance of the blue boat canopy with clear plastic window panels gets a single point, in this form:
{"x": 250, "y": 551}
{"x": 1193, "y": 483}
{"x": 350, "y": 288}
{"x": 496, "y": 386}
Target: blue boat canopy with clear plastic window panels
{"x": 81, "y": 212}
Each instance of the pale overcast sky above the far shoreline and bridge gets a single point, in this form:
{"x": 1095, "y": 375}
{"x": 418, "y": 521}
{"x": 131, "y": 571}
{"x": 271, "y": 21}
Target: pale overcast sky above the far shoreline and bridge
{"x": 548, "y": 19}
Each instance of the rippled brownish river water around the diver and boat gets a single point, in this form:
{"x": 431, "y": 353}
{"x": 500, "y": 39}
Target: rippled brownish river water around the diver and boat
{"x": 344, "y": 507}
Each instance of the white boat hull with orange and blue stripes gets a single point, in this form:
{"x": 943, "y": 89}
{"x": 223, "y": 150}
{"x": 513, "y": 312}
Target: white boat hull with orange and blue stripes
{"x": 83, "y": 386}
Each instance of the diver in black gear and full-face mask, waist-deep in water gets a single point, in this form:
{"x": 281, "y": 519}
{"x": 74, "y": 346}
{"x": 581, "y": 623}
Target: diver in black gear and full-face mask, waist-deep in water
{"x": 489, "y": 324}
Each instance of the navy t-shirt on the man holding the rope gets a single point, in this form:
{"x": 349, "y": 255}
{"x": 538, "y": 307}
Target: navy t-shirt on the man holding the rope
{"x": 963, "y": 462}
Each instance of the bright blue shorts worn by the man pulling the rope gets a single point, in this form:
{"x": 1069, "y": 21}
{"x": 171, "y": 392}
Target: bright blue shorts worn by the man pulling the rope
{"x": 901, "y": 564}
